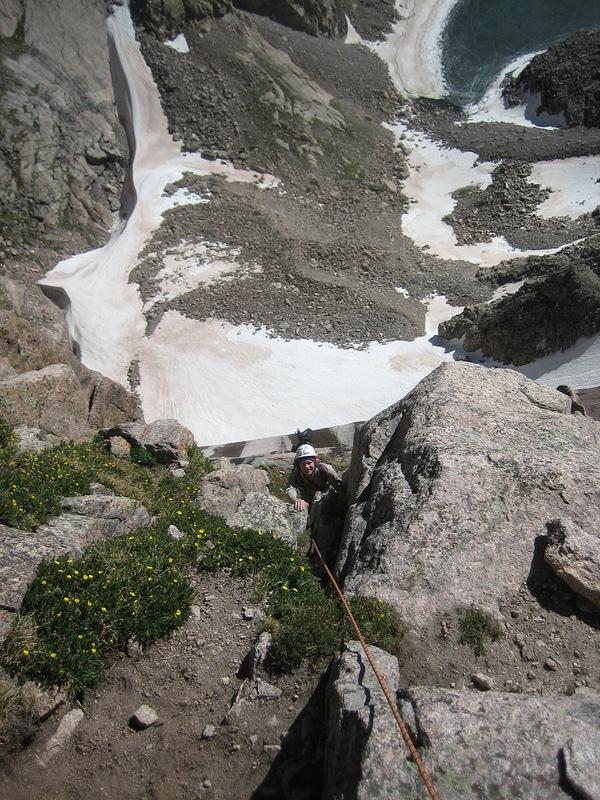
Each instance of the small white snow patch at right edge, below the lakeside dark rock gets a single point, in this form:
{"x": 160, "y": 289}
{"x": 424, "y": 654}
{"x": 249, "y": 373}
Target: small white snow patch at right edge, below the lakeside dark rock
{"x": 574, "y": 183}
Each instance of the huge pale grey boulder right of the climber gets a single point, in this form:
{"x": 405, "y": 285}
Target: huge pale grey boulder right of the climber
{"x": 462, "y": 473}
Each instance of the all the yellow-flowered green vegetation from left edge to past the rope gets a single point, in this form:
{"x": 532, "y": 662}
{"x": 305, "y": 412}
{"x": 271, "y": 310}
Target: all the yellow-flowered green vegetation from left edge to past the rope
{"x": 76, "y": 611}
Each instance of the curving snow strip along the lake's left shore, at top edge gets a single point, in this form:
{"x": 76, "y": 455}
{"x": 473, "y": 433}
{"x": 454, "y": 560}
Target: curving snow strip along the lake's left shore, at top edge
{"x": 412, "y": 50}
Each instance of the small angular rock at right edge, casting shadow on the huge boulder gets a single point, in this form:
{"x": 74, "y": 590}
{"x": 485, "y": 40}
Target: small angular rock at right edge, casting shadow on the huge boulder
{"x": 574, "y": 555}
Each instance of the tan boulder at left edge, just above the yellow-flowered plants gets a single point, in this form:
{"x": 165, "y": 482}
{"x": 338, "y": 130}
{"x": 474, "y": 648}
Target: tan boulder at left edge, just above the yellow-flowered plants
{"x": 50, "y": 399}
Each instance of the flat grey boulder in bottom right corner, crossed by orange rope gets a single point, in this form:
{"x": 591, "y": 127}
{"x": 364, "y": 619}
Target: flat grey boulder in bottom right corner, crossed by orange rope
{"x": 473, "y": 745}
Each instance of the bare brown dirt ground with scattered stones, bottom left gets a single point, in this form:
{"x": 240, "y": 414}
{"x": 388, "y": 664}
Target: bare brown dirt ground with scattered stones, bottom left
{"x": 189, "y": 680}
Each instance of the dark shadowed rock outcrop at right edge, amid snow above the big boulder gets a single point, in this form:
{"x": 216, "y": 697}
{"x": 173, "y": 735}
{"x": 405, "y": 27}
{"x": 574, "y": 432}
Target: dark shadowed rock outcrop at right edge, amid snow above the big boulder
{"x": 548, "y": 313}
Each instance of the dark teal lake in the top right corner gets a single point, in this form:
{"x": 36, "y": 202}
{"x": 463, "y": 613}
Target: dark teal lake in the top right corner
{"x": 483, "y": 36}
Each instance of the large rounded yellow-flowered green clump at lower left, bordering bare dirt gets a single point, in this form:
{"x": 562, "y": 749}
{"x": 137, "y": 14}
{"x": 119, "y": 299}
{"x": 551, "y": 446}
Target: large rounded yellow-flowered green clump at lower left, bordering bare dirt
{"x": 77, "y": 610}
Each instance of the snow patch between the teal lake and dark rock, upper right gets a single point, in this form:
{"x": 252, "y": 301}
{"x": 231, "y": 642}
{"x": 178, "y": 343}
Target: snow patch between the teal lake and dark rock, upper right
{"x": 492, "y": 107}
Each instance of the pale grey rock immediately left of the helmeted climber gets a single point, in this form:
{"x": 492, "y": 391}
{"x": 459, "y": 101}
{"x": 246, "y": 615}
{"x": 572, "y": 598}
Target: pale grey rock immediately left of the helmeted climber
{"x": 240, "y": 495}
